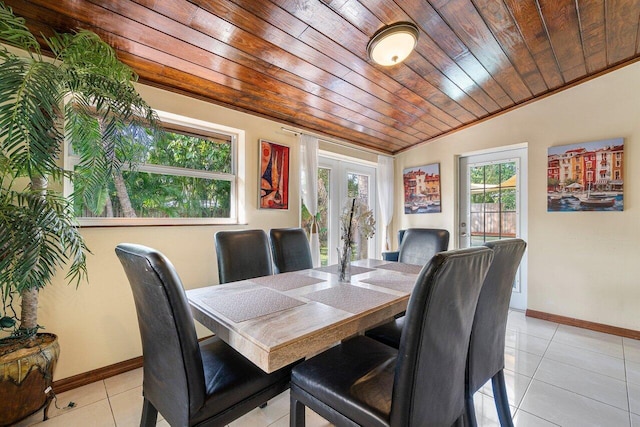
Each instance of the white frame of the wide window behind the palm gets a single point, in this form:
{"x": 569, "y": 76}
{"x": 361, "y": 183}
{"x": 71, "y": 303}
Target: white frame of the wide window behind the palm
{"x": 196, "y": 126}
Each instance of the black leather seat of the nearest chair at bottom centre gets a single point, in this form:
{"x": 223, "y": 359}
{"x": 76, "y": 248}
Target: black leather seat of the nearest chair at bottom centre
{"x": 354, "y": 378}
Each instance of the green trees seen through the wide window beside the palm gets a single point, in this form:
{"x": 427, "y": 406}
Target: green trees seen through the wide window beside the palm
{"x": 178, "y": 174}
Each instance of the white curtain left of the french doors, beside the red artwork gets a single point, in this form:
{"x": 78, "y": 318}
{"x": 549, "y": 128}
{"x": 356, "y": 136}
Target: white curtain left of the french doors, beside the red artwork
{"x": 309, "y": 189}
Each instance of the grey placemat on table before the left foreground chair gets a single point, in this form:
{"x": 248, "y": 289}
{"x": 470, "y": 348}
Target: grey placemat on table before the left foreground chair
{"x": 251, "y": 304}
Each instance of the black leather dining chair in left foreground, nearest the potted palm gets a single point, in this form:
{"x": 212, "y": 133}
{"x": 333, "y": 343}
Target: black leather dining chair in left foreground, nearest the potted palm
{"x": 189, "y": 383}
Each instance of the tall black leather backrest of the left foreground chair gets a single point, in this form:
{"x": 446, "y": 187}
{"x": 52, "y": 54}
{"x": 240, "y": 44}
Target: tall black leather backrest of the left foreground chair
{"x": 173, "y": 373}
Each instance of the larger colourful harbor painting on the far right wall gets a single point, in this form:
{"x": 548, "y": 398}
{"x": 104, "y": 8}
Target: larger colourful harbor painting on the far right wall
{"x": 586, "y": 176}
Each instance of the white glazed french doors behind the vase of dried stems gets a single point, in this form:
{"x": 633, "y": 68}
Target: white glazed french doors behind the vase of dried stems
{"x": 339, "y": 180}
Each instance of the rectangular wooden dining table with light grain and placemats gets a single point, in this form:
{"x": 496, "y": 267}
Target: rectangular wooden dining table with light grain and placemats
{"x": 279, "y": 319}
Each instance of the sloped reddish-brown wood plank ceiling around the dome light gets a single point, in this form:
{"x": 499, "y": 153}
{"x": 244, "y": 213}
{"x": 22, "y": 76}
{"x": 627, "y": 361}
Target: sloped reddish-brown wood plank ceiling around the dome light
{"x": 304, "y": 62}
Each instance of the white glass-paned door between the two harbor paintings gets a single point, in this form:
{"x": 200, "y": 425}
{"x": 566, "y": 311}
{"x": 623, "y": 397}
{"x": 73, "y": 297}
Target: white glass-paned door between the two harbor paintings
{"x": 493, "y": 205}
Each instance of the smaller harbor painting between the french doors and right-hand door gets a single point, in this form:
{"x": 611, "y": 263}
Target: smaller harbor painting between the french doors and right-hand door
{"x": 422, "y": 189}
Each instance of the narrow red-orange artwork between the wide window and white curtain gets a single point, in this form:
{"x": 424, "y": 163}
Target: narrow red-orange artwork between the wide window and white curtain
{"x": 274, "y": 175}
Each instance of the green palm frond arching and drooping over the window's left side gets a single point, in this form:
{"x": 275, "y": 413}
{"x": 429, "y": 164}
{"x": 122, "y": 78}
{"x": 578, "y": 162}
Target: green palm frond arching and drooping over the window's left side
{"x": 102, "y": 103}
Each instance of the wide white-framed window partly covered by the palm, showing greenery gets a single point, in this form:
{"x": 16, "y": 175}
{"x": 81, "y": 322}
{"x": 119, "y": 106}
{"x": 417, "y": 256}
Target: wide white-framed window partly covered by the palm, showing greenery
{"x": 186, "y": 176}
